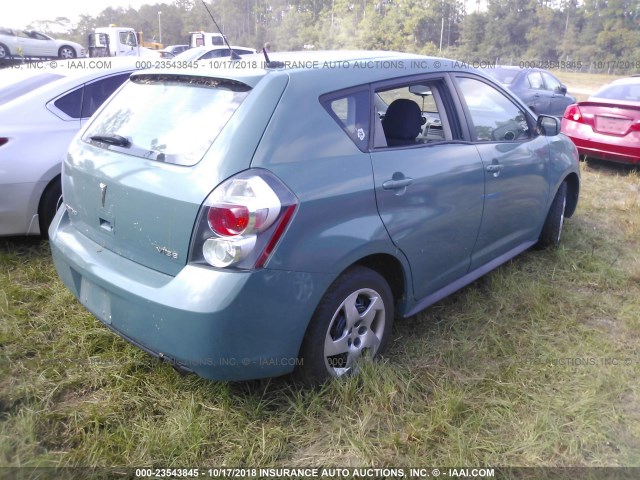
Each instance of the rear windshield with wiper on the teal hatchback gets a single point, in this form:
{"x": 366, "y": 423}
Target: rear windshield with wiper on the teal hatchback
{"x": 167, "y": 118}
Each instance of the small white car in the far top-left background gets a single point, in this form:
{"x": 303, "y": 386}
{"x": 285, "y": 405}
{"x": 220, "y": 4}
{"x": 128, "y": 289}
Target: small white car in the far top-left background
{"x": 29, "y": 43}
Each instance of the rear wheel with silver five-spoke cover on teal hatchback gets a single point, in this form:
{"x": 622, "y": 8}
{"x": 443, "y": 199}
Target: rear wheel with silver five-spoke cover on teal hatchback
{"x": 353, "y": 320}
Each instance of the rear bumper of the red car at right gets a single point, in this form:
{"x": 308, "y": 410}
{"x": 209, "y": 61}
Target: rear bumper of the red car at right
{"x": 604, "y": 147}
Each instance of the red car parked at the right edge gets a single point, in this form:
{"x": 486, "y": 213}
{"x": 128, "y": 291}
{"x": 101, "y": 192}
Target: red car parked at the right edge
{"x": 607, "y": 126}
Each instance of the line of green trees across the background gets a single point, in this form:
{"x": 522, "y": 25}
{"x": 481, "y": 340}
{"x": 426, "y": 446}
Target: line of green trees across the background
{"x": 586, "y": 35}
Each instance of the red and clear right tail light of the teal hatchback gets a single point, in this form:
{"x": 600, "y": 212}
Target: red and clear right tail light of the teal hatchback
{"x": 242, "y": 220}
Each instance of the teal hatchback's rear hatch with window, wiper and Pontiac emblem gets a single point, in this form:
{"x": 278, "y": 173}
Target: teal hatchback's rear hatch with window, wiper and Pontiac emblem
{"x": 135, "y": 178}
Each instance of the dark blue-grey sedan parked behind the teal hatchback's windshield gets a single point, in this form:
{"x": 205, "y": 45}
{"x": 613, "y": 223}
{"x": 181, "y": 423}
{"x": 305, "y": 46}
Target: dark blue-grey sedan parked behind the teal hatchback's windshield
{"x": 540, "y": 90}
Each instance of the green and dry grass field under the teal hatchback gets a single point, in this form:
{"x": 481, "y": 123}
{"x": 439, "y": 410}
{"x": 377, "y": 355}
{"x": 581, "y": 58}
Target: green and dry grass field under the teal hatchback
{"x": 515, "y": 370}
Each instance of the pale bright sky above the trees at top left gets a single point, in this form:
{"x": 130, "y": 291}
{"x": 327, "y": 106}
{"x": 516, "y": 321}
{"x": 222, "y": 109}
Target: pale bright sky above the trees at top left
{"x": 19, "y": 13}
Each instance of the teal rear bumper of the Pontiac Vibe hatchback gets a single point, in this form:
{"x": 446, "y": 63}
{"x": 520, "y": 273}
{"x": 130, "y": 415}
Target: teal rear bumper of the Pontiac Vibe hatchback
{"x": 221, "y": 325}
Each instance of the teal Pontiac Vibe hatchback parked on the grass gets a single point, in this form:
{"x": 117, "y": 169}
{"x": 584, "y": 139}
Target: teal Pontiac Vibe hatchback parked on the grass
{"x": 244, "y": 222}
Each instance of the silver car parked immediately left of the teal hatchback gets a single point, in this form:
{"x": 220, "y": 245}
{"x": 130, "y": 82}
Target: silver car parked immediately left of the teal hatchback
{"x": 40, "y": 112}
